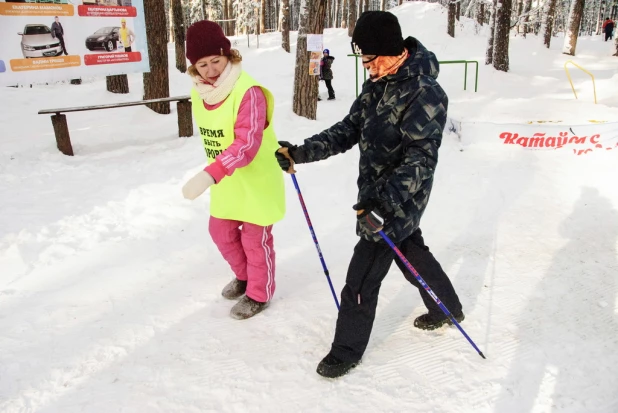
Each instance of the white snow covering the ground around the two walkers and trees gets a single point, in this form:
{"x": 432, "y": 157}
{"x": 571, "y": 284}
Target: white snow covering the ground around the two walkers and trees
{"x": 110, "y": 285}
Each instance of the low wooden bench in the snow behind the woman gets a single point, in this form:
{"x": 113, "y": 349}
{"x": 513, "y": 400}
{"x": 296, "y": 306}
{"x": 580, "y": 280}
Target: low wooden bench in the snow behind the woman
{"x": 61, "y": 129}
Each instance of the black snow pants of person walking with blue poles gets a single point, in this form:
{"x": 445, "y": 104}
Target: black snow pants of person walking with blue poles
{"x": 359, "y": 298}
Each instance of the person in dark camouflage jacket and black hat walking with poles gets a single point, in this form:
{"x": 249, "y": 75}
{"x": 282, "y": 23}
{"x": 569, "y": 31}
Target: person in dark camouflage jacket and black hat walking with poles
{"x": 397, "y": 122}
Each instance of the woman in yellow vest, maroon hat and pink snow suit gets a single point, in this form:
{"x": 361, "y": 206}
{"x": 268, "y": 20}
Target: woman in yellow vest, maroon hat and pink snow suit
{"x": 234, "y": 114}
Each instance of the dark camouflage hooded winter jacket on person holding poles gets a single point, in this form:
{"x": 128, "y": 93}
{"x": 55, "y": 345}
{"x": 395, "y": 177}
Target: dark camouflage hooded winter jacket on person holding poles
{"x": 398, "y": 123}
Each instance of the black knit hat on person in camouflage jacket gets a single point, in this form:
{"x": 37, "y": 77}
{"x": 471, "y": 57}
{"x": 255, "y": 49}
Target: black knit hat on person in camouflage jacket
{"x": 377, "y": 33}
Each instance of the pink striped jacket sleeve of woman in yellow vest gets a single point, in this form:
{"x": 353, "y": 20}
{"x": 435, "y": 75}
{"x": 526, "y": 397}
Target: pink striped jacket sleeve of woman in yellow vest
{"x": 248, "y": 132}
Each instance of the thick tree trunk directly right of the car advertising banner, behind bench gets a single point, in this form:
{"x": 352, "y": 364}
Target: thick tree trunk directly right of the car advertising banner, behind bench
{"x": 156, "y": 83}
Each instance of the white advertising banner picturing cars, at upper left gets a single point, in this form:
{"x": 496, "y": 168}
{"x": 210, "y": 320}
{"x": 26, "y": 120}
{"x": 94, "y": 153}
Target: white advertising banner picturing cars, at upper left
{"x": 50, "y": 40}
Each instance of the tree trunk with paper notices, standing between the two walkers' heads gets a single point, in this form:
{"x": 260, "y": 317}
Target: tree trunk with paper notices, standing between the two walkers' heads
{"x": 312, "y": 15}
